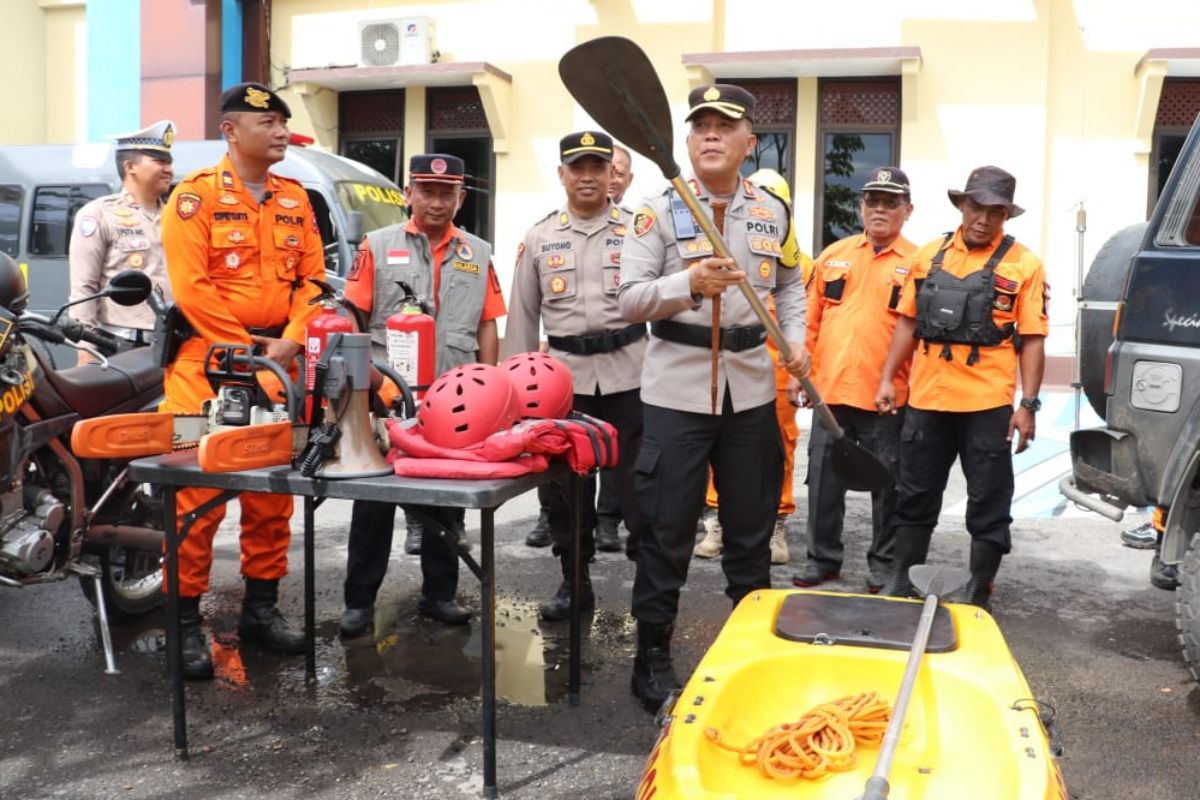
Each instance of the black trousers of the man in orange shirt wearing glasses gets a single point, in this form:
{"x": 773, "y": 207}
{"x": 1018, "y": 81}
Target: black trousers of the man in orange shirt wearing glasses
{"x": 827, "y": 495}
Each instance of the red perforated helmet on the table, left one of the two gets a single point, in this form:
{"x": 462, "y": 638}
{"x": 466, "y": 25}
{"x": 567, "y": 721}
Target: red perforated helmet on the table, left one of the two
{"x": 467, "y": 405}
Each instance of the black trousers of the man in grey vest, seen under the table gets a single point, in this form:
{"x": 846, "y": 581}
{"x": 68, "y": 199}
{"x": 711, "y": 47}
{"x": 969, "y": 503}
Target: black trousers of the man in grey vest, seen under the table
{"x": 370, "y": 550}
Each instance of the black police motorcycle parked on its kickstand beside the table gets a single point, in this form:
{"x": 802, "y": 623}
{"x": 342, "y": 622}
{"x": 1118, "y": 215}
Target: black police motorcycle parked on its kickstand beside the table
{"x": 67, "y": 518}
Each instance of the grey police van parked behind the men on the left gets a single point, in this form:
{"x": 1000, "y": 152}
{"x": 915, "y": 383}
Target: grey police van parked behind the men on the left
{"x": 44, "y": 187}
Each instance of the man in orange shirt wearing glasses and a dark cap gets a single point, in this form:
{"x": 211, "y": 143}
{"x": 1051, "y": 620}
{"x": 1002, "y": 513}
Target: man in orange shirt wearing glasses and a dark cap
{"x": 853, "y": 303}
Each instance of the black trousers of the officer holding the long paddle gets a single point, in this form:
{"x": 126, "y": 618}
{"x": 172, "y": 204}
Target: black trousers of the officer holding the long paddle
{"x": 747, "y": 456}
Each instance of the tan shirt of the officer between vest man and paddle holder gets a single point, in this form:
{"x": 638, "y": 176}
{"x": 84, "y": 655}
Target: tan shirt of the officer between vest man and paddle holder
{"x": 567, "y": 275}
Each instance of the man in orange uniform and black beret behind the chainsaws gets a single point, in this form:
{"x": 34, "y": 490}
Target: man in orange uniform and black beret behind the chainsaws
{"x": 241, "y": 245}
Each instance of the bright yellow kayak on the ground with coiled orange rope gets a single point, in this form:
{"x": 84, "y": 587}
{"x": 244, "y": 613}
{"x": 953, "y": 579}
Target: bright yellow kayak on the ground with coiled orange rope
{"x": 973, "y": 729}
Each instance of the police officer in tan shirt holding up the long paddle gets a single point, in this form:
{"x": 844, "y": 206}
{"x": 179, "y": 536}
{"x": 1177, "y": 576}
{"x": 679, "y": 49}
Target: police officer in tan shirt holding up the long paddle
{"x": 671, "y": 279}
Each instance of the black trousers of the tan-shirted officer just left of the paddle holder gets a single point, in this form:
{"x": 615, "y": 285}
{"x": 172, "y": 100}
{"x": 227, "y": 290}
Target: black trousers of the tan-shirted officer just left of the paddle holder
{"x": 623, "y": 411}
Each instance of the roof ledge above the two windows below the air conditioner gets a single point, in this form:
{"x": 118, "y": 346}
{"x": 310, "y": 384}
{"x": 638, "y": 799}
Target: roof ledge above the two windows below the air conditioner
{"x": 495, "y": 86}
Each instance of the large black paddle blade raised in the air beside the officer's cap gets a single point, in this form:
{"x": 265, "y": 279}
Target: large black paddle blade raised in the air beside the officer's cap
{"x": 616, "y": 83}
